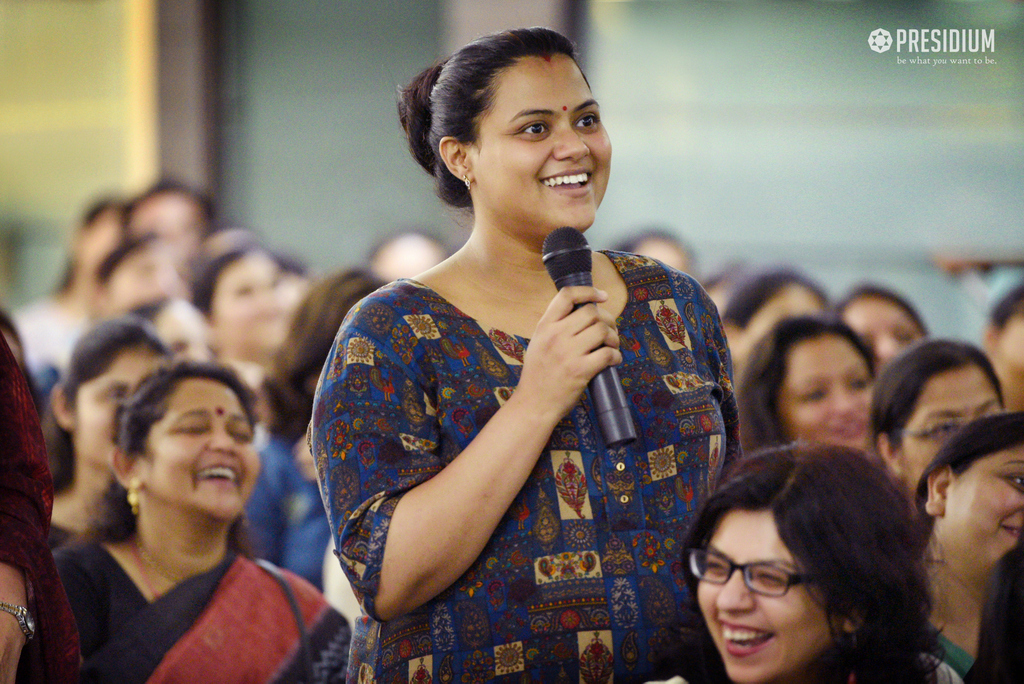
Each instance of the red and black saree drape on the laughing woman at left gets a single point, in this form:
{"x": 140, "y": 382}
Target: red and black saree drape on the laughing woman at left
{"x": 246, "y": 632}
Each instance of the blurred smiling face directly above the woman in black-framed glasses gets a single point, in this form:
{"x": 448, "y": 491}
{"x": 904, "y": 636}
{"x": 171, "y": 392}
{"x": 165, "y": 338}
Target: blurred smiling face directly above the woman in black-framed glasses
{"x": 826, "y": 396}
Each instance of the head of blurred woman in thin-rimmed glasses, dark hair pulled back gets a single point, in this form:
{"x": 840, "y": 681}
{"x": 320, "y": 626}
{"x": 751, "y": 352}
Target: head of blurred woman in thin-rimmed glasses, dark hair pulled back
{"x": 924, "y": 397}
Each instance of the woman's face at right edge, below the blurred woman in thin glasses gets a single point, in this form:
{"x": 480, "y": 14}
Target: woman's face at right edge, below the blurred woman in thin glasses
{"x": 978, "y": 514}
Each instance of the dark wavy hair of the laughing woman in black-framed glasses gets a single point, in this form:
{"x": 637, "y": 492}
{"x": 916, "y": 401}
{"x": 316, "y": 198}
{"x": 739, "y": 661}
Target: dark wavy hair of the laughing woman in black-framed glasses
{"x": 850, "y": 529}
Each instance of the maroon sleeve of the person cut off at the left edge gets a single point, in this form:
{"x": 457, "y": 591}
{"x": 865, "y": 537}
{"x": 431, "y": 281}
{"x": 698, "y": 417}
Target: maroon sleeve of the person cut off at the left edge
{"x": 26, "y": 500}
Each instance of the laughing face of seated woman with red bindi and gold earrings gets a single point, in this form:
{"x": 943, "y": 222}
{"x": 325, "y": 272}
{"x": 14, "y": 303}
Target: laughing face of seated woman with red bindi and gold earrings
{"x": 200, "y": 458}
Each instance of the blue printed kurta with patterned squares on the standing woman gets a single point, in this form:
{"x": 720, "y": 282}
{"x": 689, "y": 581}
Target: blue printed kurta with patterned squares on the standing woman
{"x": 584, "y": 576}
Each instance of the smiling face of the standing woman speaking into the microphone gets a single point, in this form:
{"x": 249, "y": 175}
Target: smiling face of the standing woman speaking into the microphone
{"x": 542, "y": 156}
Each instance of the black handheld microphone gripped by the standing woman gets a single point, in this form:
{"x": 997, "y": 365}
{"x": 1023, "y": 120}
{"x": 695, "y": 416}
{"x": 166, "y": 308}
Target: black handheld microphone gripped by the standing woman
{"x": 568, "y": 259}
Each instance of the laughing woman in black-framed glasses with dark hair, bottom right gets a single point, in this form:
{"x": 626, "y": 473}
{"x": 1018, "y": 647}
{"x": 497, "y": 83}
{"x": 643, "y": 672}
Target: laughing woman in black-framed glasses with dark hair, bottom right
{"x": 804, "y": 567}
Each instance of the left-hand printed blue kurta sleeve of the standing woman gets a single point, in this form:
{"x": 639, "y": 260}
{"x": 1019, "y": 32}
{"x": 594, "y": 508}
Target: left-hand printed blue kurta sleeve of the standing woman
{"x": 375, "y": 434}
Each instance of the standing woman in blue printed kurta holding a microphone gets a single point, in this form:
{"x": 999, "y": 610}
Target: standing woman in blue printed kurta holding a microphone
{"x": 487, "y": 529}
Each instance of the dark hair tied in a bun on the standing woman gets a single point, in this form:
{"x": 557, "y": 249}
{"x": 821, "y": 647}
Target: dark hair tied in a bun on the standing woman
{"x": 448, "y": 99}
